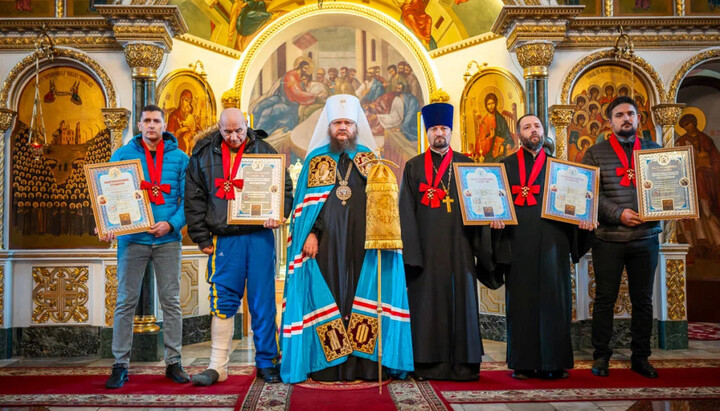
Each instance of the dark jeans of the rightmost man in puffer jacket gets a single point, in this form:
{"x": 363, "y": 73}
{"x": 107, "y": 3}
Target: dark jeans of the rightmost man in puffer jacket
{"x": 640, "y": 257}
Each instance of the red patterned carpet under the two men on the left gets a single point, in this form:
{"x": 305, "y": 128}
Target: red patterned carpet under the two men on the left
{"x": 147, "y": 387}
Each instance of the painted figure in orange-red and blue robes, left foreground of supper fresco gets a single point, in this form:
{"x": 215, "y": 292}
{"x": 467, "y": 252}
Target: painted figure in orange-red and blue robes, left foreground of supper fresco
{"x": 279, "y": 109}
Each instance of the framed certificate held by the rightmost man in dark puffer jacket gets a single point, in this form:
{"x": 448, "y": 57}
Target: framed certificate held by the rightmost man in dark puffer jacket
{"x": 666, "y": 186}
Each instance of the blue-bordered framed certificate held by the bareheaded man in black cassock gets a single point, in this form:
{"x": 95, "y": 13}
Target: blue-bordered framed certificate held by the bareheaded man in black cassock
{"x": 571, "y": 192}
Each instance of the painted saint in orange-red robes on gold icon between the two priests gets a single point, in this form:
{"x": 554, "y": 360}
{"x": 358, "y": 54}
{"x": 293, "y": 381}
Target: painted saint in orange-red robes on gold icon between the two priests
{"x": 493, "y": 138}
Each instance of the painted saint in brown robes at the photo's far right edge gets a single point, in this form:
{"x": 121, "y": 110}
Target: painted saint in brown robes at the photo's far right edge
{"x": 703, "y": 234}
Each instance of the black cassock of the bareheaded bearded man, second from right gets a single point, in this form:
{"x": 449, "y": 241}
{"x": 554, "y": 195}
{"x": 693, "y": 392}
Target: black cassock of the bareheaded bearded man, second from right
{"x": 537, "y": 286}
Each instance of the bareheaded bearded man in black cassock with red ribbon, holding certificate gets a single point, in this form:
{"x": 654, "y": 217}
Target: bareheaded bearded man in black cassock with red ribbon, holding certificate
{"x": 537, "y": 285}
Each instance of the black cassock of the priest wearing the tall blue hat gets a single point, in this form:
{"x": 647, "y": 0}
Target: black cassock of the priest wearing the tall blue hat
{"x": 439, "y": 254}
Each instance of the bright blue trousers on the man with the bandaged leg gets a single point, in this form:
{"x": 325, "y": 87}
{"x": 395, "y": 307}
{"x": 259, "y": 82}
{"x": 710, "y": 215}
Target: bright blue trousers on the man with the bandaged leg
{"x": 237, "y": 261}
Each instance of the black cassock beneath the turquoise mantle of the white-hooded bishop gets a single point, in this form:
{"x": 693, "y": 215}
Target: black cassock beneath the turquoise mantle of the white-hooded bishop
{"x": 341, "y": 249}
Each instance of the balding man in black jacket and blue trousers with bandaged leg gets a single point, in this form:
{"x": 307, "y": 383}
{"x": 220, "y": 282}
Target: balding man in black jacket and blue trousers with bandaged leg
{"x": 238, "y": 253}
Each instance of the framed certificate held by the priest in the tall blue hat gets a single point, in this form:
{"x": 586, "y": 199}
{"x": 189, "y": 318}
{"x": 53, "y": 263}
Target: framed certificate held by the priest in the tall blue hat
{"x": 484, "y": 193}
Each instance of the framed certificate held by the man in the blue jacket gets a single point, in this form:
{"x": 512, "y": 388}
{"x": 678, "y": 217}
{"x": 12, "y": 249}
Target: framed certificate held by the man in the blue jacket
{"x": 119, "y": 205}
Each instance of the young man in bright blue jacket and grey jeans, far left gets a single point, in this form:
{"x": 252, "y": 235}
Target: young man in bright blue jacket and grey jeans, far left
{"x": 164, "y": 169}
